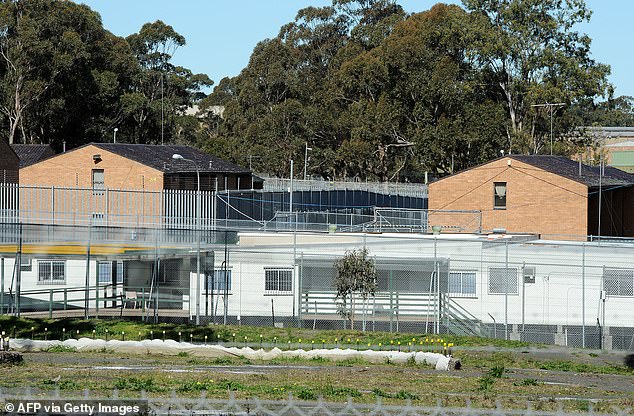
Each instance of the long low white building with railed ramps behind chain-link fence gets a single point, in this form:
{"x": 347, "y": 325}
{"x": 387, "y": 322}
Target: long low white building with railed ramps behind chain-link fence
{"x": 573, "y": 293}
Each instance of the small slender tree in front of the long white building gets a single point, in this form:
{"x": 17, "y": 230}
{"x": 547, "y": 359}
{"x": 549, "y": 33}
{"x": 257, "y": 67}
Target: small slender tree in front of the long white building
{"x": 356, "y": 275}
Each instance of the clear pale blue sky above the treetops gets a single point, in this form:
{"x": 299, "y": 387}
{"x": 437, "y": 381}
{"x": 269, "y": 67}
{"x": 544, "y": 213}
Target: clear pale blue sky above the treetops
{"x": 221, "y": 34}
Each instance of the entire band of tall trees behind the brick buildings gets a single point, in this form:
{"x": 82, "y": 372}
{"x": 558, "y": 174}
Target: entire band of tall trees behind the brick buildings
{"x": 375, "y": 92}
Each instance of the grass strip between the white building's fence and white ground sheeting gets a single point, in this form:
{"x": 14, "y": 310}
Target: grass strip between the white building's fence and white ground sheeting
{"x": 254, "y": 337}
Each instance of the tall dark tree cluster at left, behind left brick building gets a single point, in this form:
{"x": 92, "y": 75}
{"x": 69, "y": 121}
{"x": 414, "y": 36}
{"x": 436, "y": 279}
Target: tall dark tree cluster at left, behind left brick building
{"x": 63, "y": 77}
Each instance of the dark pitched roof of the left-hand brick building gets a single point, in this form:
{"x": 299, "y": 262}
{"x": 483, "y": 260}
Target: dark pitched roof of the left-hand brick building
{"x": 160, "y": 157}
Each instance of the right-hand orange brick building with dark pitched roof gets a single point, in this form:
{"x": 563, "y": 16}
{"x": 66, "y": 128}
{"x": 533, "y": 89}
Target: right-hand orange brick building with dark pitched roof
{"x": 548, "y": 195}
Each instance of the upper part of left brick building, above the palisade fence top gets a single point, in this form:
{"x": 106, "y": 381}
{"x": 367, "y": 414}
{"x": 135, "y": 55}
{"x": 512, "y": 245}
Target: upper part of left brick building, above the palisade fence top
{"x": 136, "y": 167}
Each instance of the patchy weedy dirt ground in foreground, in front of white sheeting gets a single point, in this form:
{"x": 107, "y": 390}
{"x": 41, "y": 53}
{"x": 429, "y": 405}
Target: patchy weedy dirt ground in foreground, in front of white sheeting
{"x": 586, "y": 377}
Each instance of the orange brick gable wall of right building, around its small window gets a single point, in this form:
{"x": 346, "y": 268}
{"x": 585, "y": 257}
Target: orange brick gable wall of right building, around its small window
{"x": 537, "y": 201}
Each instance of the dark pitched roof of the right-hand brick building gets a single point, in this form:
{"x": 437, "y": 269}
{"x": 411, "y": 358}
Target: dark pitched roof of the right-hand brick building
{"x": 590, "y": 175}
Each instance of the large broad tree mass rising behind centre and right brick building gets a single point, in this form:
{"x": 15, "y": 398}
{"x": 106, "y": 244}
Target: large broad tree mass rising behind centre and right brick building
{"x": 380, "y": 94}
